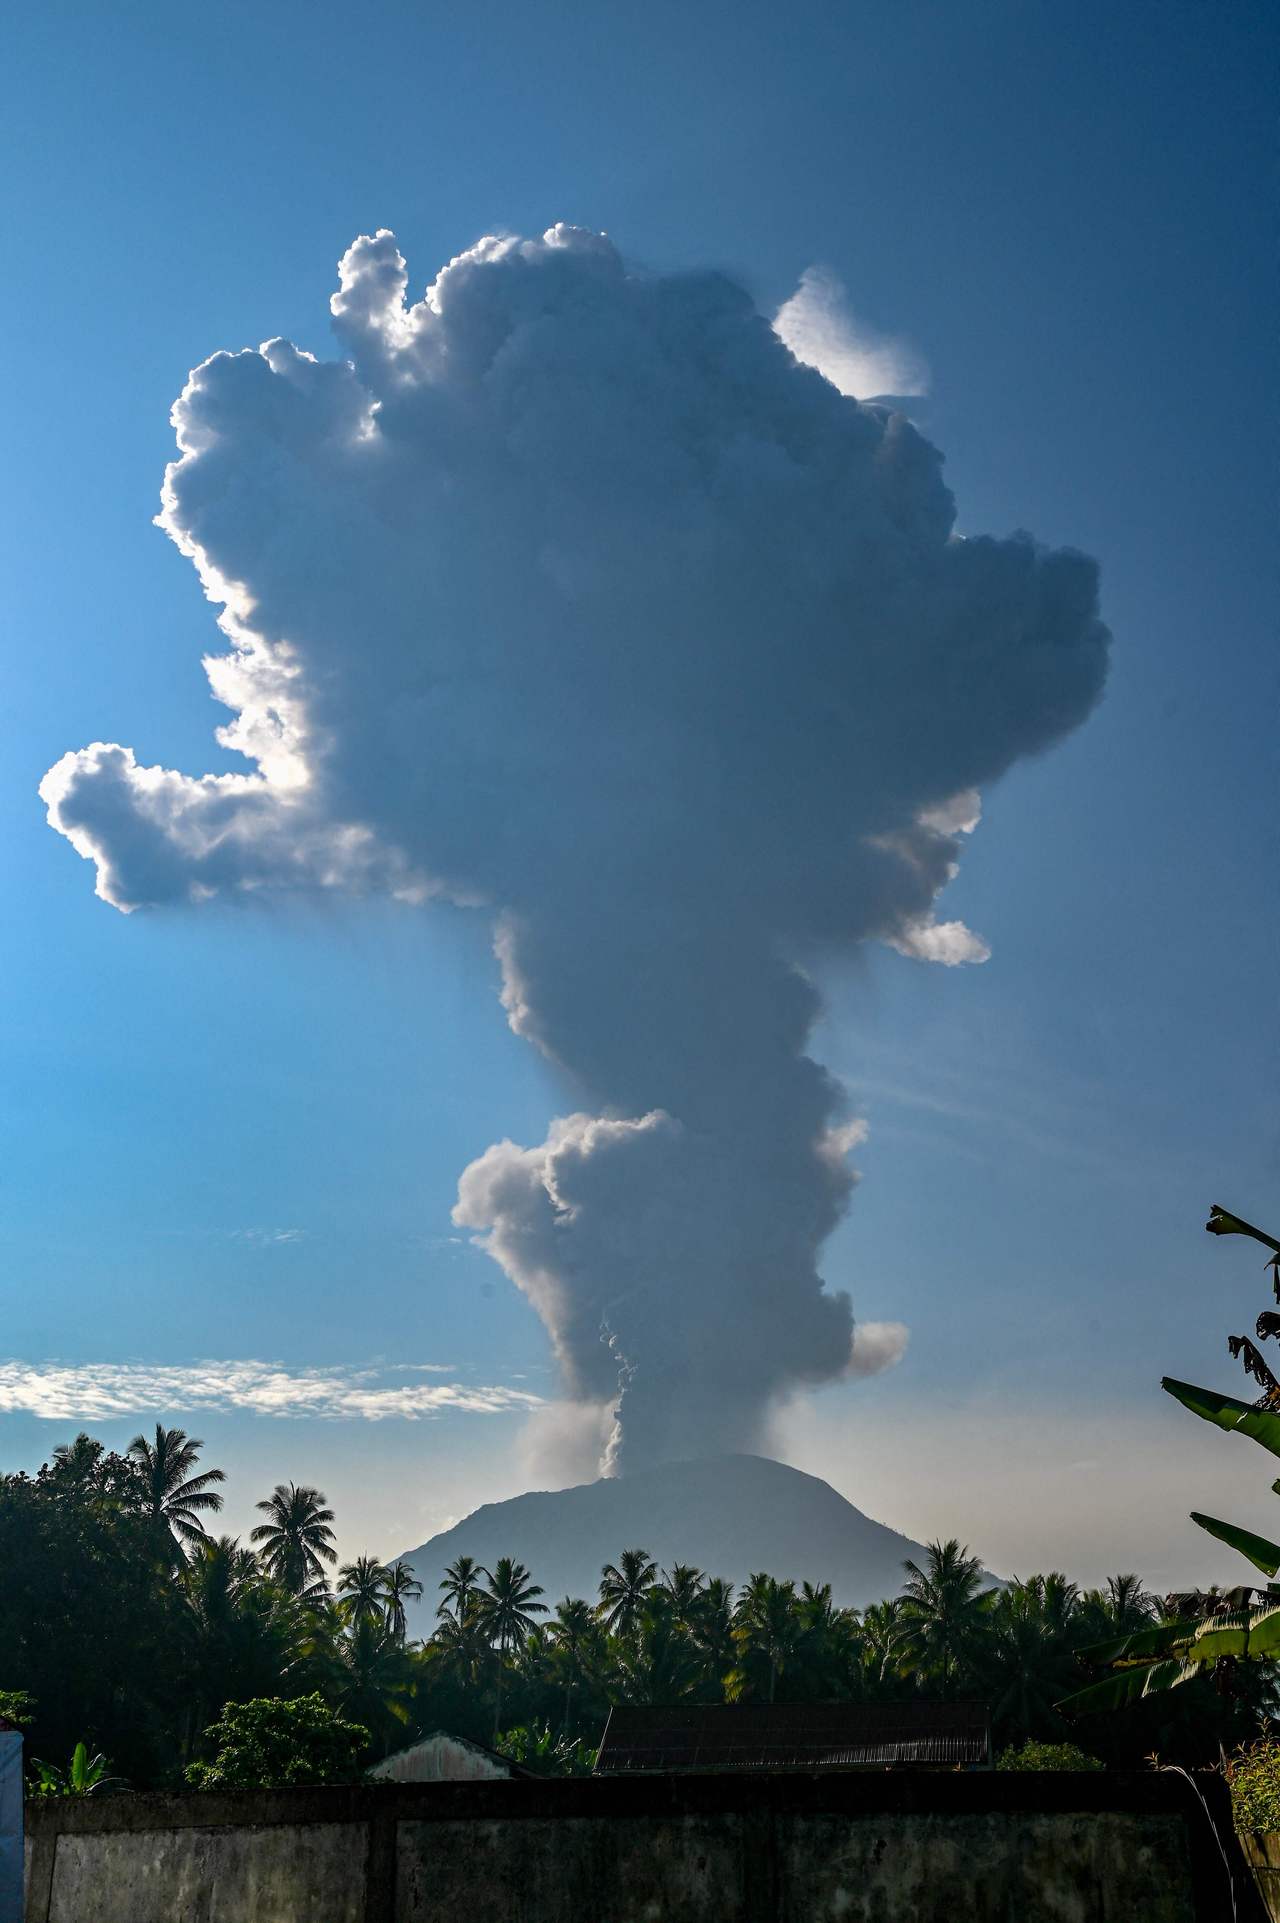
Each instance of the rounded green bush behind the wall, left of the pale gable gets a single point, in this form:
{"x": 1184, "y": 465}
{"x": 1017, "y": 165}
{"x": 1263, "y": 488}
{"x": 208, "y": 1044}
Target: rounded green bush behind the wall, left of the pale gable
{"x": 272, "y": 1743}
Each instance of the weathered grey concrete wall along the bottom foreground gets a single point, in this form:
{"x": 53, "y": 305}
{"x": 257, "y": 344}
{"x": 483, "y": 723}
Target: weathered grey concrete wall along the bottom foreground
{"x": 850, "y": 1849}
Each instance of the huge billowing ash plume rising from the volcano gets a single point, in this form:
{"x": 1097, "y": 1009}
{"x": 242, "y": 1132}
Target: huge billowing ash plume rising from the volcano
{"x": 572, "y": 595}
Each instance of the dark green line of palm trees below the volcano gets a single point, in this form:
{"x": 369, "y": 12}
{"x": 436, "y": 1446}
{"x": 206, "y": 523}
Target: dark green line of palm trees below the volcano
{"x": 128, "y": 1626}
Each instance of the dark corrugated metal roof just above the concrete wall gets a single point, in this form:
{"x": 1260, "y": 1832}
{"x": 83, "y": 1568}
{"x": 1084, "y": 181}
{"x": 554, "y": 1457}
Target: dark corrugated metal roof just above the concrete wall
{"x": 795, "y": 1736}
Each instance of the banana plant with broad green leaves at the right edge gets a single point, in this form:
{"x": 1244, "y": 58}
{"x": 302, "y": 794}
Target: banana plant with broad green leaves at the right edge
{"x": 1208, "y": 1632}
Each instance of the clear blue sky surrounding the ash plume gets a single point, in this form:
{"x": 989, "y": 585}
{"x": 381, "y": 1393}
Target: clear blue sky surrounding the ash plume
{"x": 239, "y": 1134}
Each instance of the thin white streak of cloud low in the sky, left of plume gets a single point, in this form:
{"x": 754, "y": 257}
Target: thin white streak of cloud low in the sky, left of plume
{"x": 103, "y": 1389}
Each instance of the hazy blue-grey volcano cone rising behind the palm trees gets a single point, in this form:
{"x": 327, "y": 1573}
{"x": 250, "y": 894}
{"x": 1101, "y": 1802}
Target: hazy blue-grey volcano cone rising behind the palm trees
{"x": 726, "y": 1514}
